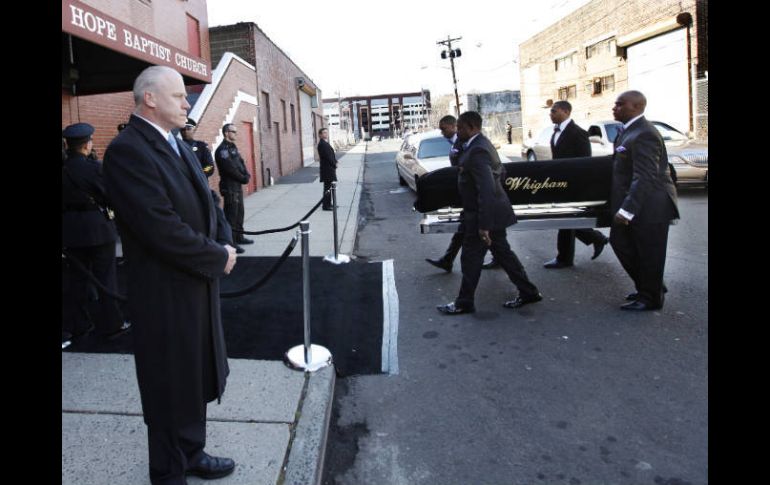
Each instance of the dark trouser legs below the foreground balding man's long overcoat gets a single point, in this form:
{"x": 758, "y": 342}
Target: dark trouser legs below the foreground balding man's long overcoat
{"x": 173, "y": 451}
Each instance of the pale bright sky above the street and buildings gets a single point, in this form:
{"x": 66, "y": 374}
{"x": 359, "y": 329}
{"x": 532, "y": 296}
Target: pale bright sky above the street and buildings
{"x": 352, "y": 47}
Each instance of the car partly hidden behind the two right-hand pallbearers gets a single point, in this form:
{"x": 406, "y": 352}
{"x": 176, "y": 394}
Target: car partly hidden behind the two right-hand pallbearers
{"x": 687, "y": 158}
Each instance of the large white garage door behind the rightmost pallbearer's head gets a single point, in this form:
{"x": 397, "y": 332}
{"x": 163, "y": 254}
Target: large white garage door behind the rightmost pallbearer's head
{"x": 658, "y": 68}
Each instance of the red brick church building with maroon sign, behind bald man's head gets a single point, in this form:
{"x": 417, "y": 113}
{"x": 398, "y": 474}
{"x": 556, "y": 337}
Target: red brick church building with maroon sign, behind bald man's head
{"x": 107, "y": 43}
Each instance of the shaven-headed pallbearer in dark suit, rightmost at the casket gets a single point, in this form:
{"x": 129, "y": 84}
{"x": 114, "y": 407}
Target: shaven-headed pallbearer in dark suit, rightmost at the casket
{"x": 644, "y": 201}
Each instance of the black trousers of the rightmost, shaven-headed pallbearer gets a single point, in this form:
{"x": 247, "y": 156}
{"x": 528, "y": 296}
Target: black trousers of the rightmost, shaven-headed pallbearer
{"x": 641, "y": 250}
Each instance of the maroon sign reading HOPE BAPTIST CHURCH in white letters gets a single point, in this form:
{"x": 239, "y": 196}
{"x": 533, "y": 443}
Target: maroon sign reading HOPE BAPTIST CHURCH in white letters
{"x": 85, "y": 22}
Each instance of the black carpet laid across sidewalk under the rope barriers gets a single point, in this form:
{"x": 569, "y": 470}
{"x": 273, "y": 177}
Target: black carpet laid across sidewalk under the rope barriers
{"x": 346, "y": 314}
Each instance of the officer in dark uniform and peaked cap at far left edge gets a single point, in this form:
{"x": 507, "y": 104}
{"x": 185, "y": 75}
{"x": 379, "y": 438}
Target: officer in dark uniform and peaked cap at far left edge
{"x": 88, "y": 235}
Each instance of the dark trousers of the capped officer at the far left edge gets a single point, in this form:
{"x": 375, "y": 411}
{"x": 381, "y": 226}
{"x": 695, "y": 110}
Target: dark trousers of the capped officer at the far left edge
{"x": 82, "y": 303}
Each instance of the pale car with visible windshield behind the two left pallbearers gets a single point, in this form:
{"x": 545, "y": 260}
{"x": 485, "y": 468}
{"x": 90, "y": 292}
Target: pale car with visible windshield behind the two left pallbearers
{"x": 419, "y": 154}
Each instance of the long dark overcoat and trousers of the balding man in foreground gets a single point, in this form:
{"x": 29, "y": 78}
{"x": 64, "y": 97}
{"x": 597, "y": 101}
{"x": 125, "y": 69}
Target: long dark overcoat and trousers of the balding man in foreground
{"x": 168, "y": 226}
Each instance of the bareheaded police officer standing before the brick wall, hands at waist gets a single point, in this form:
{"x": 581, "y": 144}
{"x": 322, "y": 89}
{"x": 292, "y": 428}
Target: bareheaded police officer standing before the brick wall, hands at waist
{"x": 232, "y": 175}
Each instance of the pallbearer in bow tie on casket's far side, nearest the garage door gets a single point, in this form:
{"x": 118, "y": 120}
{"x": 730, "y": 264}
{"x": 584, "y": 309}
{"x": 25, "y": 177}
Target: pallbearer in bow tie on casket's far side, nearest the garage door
{"x": 571, "y": 141}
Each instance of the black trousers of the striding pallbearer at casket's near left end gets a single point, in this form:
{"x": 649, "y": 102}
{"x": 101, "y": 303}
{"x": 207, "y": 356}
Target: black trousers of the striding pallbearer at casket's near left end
{"x": 472, "y": 258}
